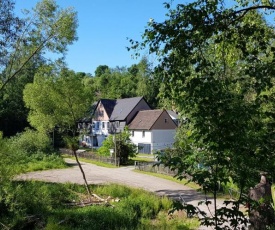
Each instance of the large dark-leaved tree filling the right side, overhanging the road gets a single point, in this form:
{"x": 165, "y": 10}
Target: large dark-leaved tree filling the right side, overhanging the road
{"x": 215, "y": 63}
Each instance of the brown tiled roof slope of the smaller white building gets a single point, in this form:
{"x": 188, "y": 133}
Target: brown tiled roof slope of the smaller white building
{"x": 145, "y": 119}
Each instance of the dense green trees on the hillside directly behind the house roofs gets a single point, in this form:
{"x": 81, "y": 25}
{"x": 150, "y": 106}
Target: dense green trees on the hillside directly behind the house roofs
{"x": 121, "y": 82}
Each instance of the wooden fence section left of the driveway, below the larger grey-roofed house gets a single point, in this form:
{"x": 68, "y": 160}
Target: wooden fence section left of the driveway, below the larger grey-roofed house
{"x": 91, "y": 156}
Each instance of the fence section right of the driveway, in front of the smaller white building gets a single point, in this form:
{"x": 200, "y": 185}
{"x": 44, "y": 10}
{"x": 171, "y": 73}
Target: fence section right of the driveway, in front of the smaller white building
{"x": 152, "y": 167}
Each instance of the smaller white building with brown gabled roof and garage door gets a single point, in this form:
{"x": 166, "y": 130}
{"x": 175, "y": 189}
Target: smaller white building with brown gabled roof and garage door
{"x": 152, "y": 130}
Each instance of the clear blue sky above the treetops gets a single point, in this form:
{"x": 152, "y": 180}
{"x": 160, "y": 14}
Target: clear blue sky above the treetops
{"x": 104, "y": 26}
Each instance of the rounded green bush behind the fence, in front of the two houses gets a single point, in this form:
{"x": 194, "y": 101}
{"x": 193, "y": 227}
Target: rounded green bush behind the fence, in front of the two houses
{"x": 121, "y": 145}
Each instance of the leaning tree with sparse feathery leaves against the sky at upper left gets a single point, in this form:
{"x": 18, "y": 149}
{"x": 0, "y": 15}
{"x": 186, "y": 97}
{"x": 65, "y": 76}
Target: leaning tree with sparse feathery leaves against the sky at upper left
{"x": 46, "y": 29}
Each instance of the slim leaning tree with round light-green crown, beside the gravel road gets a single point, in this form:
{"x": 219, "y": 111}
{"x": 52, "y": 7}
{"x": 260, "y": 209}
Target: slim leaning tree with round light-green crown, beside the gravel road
{"x": 59, "y": 98}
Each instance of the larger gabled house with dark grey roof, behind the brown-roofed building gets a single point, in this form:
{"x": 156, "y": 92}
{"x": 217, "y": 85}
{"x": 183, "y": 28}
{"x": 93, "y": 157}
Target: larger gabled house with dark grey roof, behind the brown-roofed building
{"x": 111, "y": 116}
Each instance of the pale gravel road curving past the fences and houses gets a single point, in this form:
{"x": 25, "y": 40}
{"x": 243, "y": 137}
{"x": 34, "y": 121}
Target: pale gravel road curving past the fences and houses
{"x": 124, "y": 175}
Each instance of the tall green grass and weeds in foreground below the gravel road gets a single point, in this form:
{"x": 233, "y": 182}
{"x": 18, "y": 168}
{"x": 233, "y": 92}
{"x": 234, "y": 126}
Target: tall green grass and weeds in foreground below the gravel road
{"x": 49, "y": 207}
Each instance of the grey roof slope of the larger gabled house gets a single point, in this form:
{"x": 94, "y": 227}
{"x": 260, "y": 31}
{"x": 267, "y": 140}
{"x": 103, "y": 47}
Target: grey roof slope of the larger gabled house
{"x": 123, "y": 107}
